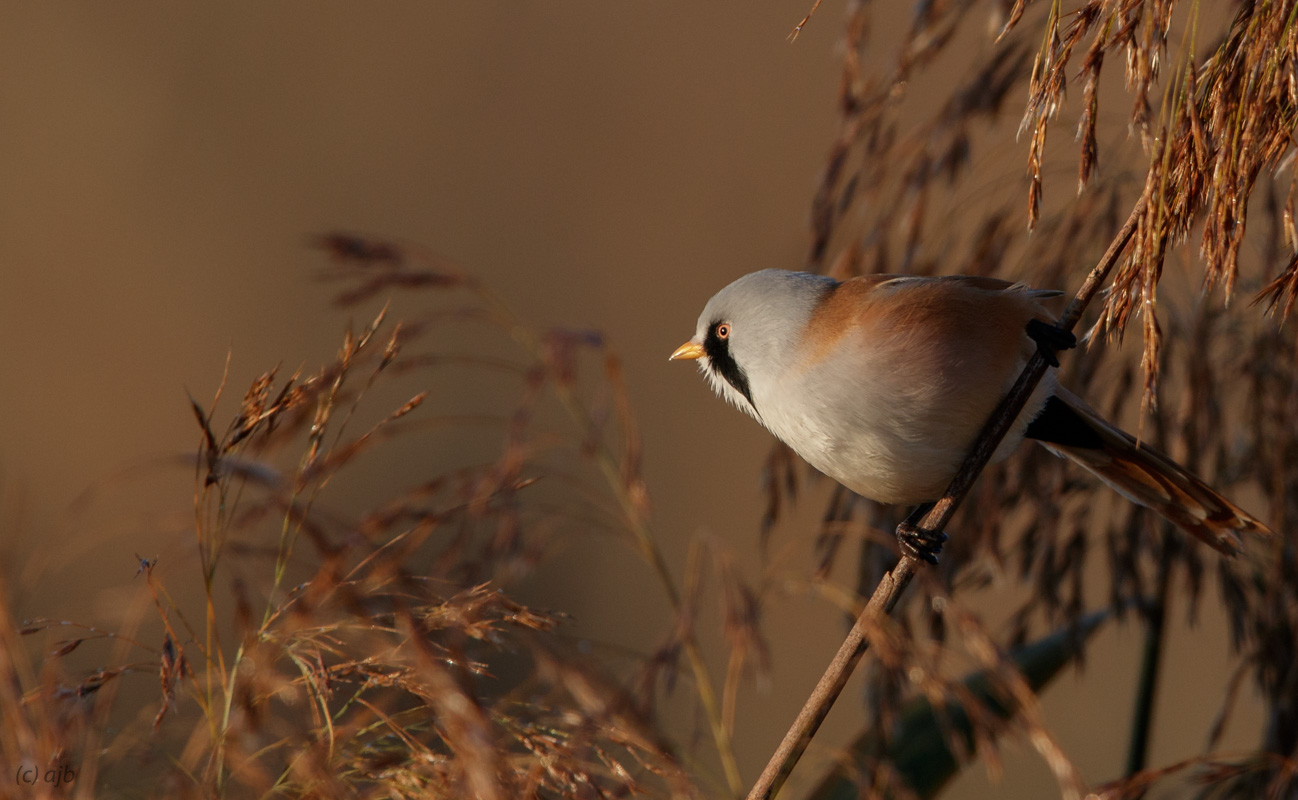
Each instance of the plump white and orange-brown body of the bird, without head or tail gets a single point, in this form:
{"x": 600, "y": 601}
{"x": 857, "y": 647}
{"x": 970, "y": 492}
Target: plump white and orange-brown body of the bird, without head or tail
{"x": 890, "y": 399}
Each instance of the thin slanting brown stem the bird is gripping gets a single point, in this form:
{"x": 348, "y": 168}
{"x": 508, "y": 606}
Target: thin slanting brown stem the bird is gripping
{"x": 892, "y": 586}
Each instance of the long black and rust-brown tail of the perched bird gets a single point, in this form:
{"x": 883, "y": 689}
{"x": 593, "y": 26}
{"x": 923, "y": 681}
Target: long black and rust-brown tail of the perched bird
{"x": 1070, "y": 428}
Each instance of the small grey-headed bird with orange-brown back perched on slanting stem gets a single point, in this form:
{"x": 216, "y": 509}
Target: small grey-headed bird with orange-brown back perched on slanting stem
{"x": 885, "y": 382}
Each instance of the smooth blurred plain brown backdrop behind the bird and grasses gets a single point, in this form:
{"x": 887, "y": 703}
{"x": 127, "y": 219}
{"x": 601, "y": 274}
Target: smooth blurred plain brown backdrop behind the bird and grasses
{"x": 599, "y": 166}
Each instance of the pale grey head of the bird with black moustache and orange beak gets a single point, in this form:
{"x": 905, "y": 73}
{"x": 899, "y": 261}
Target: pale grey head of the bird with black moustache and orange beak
{"x": 747, "y": 334}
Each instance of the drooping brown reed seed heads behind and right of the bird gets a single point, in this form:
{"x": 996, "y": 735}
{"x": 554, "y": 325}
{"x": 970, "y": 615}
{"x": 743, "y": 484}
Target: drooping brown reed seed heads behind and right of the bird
{"x": 1213, "y": 128}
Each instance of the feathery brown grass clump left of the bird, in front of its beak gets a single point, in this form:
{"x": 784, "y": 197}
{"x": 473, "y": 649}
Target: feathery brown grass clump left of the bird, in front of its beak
{"x": 358, "y": 658}
